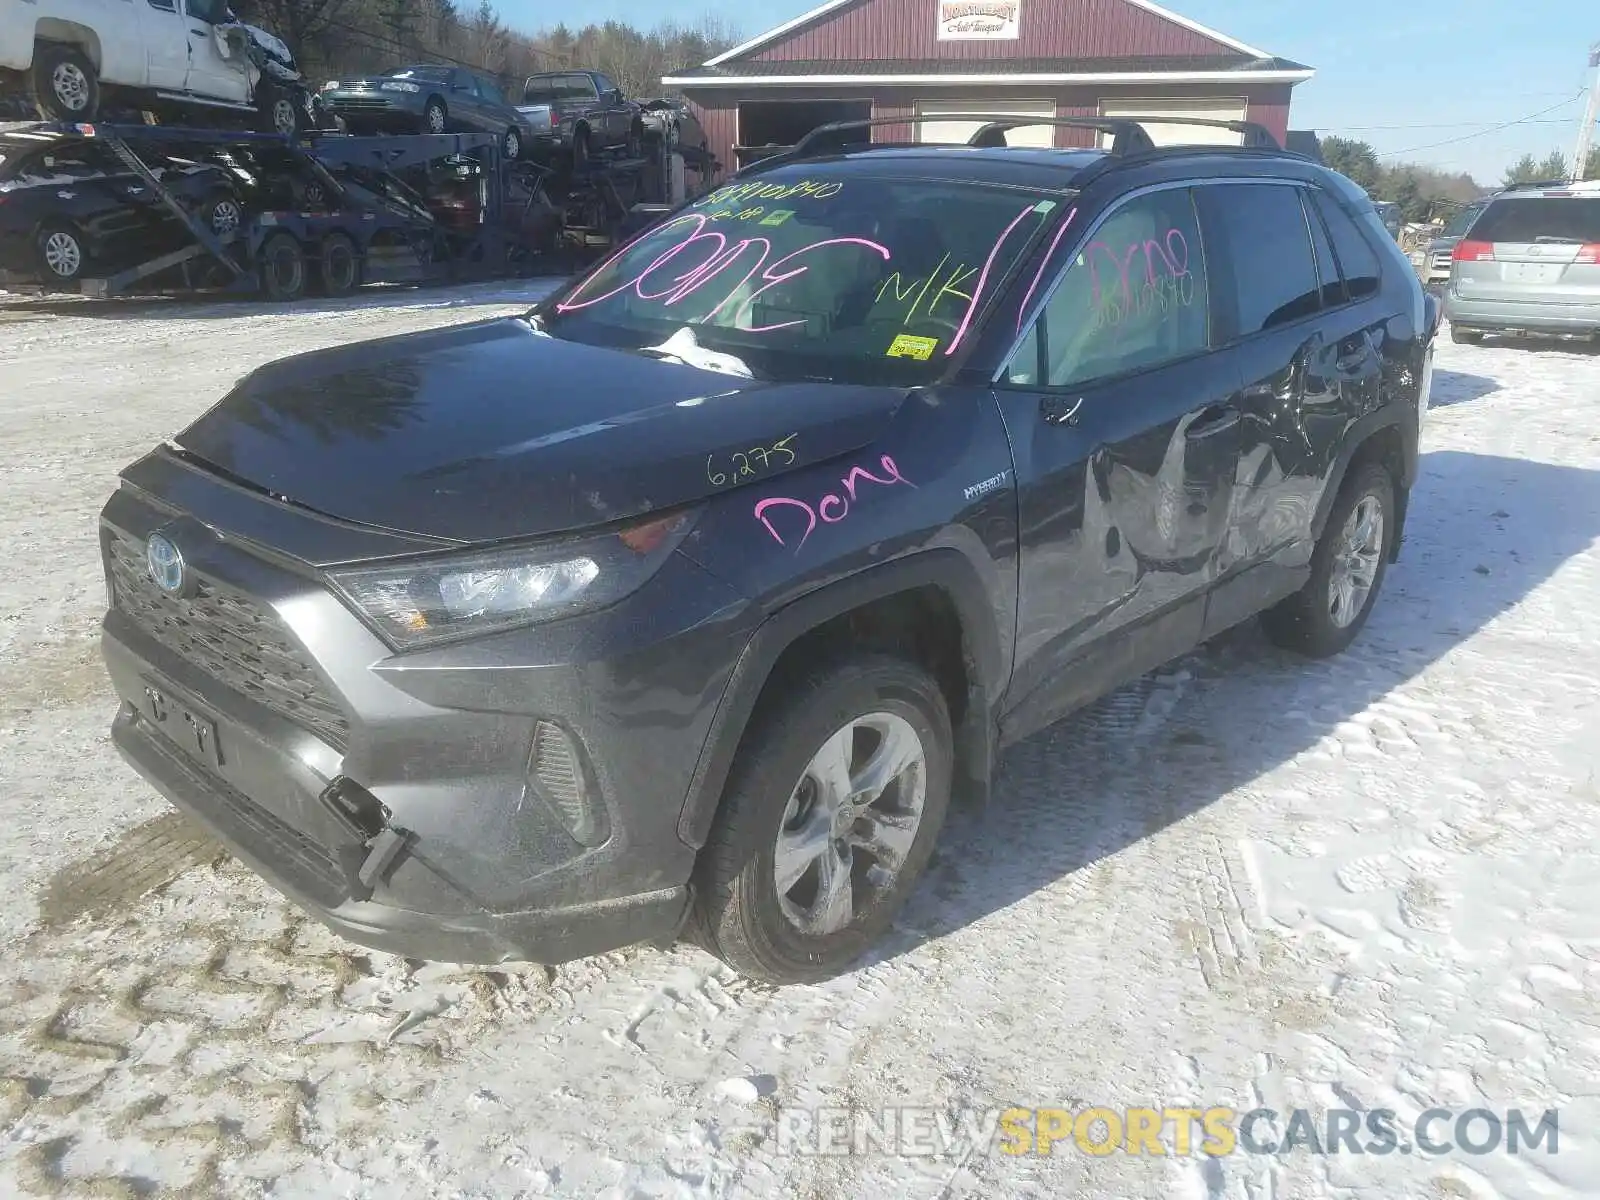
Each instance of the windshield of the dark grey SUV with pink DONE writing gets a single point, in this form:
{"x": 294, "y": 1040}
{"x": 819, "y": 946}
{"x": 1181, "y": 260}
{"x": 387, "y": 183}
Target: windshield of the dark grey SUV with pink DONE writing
{"x": 802, "y": 276}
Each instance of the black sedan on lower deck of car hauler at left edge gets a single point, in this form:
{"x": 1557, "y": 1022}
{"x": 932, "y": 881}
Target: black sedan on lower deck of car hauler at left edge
{"x": 70, "y": 210}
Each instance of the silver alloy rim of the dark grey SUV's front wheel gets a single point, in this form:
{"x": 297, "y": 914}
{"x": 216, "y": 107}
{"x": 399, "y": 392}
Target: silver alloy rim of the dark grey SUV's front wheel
{"x": 850, "y": 823}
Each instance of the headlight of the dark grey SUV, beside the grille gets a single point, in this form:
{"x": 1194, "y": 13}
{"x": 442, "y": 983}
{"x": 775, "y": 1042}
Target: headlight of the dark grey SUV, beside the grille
{"x": 441, "y": 599}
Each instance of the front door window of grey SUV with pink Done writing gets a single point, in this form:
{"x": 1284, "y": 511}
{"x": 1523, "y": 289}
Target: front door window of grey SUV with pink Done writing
{"x": 1134, "y": 298}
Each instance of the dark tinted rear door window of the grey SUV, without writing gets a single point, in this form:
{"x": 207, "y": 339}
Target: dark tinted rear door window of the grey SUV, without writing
{"x": 1271, "y": 255}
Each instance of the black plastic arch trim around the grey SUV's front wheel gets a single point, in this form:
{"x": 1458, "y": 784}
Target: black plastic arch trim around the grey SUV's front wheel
{"x": 897, "y": 606}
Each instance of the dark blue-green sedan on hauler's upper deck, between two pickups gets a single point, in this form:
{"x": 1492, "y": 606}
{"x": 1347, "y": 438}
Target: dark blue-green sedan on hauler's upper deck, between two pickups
{"x": 428, "y": 100}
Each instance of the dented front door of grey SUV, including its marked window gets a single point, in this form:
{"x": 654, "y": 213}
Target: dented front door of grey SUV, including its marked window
{"x": 1126, "y": 433}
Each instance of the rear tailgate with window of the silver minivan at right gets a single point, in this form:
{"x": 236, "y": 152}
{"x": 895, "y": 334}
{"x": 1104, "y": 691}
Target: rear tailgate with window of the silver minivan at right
{"x": 1535, "y": 247}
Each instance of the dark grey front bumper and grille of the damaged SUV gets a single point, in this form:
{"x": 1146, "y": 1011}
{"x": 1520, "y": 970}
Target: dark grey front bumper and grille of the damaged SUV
{"x": 249, "y": 703}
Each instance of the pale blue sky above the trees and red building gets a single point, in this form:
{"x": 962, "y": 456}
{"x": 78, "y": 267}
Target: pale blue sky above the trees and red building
{"x": 1420, "y": 82}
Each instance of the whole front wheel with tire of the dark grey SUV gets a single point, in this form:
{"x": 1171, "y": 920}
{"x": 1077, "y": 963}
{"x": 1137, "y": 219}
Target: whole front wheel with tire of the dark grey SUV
{"x": 830, "y": 818}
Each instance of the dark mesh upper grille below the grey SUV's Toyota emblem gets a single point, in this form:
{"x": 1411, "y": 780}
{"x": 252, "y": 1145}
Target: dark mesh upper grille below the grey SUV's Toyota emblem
{"x": 231, "y": 638}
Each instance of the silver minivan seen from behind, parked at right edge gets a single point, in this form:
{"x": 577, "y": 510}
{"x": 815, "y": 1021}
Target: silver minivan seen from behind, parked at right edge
{"x": 1530, "y": 265}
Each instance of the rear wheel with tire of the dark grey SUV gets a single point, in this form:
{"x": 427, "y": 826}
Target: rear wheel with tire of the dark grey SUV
{"x": 1346, "y": 569}
